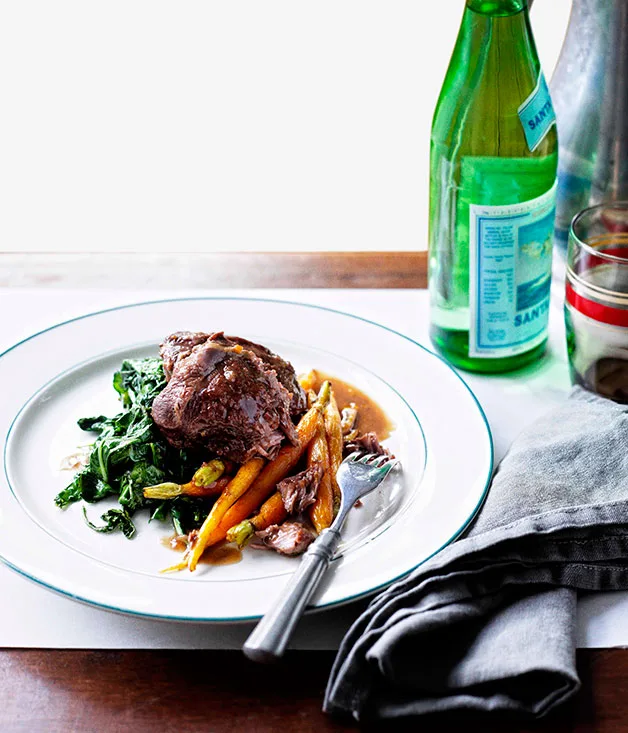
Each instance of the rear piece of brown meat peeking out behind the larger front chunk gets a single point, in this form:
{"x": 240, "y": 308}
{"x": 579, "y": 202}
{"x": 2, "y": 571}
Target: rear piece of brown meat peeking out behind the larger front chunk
{"x": 180, "y": 344}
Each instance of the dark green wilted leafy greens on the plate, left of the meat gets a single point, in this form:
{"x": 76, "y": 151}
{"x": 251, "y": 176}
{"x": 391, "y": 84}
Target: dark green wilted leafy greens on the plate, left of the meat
{"x": 129, "y": 454}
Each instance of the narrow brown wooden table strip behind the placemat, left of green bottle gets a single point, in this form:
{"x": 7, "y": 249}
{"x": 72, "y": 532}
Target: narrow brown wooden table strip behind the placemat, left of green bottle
{"x": 228, "y": 270}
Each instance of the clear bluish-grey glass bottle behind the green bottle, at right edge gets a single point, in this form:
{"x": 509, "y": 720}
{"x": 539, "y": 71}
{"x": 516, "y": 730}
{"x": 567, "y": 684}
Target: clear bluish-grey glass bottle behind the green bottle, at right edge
{"x": 590, "y": 91}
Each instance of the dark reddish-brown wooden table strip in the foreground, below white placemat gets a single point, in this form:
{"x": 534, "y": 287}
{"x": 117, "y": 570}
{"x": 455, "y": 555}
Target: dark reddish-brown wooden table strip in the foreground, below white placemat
{"x": 57, "y": 691}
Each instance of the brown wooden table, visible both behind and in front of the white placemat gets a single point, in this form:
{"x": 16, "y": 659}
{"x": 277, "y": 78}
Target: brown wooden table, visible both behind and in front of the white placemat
{"x": 58, "y": 691}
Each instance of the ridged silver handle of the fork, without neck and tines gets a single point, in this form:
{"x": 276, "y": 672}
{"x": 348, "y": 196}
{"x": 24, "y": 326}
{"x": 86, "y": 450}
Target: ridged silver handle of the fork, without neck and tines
{"x": 269, "y": 639}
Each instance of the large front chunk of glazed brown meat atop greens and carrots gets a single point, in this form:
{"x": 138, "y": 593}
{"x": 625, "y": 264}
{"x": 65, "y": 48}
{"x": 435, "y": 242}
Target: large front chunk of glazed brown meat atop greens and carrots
{"x": 223, "y": 400}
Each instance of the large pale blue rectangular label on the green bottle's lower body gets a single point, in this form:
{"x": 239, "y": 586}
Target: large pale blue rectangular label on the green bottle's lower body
{"x": 510, "y": 262}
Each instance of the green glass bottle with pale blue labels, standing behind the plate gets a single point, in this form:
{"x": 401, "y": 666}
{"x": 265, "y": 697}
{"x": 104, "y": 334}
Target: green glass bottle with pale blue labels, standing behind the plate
{"x": 492, "y": 192}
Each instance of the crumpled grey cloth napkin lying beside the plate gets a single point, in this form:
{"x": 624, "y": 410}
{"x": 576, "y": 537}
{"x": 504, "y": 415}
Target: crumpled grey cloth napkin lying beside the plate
{"x": 488, "y": 624}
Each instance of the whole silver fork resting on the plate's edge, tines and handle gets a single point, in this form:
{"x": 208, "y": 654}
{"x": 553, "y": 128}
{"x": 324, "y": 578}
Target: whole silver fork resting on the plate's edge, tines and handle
{"x": 357, "y": 476}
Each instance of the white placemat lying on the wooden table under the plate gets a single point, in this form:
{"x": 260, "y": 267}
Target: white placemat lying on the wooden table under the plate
{"x": 31, "y": 616}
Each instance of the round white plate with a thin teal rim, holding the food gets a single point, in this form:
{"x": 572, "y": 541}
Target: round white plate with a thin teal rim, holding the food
{"x": 441, "y": 438}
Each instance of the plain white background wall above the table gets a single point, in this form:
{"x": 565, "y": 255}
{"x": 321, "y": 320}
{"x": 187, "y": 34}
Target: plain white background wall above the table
{"x": 232, "y": 125}
